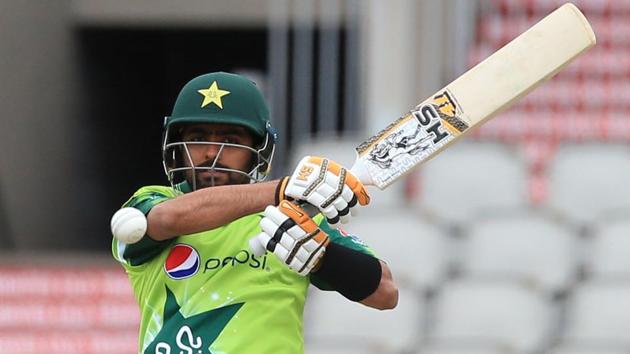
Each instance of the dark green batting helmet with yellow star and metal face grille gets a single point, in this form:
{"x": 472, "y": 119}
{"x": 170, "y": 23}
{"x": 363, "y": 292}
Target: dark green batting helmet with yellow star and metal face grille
{"x": 221, "y": 98}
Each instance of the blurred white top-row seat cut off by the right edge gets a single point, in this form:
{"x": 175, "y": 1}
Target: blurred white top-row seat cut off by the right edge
{"x": 587, "y": 181}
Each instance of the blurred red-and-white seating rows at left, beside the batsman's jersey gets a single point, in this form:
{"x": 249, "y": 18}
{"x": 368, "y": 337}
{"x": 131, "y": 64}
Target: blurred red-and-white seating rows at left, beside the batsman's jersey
{"x": 67, "y": 309}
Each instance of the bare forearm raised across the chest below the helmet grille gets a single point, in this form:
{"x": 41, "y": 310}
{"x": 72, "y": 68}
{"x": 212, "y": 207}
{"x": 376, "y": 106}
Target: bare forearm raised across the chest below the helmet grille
{"x": 208, "y": 209}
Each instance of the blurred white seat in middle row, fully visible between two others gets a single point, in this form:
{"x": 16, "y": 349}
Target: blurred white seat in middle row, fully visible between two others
{"x": 520, "y": 246}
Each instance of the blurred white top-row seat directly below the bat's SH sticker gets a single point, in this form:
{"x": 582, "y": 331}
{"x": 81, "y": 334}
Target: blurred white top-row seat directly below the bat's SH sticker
{"x": 470, "y": 178}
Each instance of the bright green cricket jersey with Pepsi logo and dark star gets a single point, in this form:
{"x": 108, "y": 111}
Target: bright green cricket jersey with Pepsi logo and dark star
{"x": 207, "y": 292}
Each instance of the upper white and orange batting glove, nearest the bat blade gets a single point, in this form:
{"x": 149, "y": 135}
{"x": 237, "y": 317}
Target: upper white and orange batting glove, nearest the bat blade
{"x": 327, "y": 185}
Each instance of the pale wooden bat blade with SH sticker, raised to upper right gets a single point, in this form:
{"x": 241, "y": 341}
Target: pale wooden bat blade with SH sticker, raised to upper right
{"x": 476, "y": 96}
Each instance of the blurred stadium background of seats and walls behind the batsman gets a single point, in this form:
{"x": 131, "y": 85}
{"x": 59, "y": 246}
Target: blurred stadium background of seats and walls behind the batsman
{"x": 517, "y": 240}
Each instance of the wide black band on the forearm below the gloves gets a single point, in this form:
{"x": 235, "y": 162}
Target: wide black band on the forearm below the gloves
{"x": 353, "y": 274}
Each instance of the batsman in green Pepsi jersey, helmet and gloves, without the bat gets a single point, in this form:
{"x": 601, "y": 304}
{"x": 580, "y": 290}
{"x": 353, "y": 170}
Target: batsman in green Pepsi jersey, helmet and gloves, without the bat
{"x": 199, "y": 286}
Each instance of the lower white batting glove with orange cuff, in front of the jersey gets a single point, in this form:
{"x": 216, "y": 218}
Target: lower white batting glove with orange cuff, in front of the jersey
{"x": 290, "y": 233}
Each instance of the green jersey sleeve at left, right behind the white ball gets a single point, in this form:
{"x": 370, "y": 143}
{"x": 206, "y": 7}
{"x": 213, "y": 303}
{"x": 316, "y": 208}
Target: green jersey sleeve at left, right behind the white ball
{"x": 147, "y": 248}
